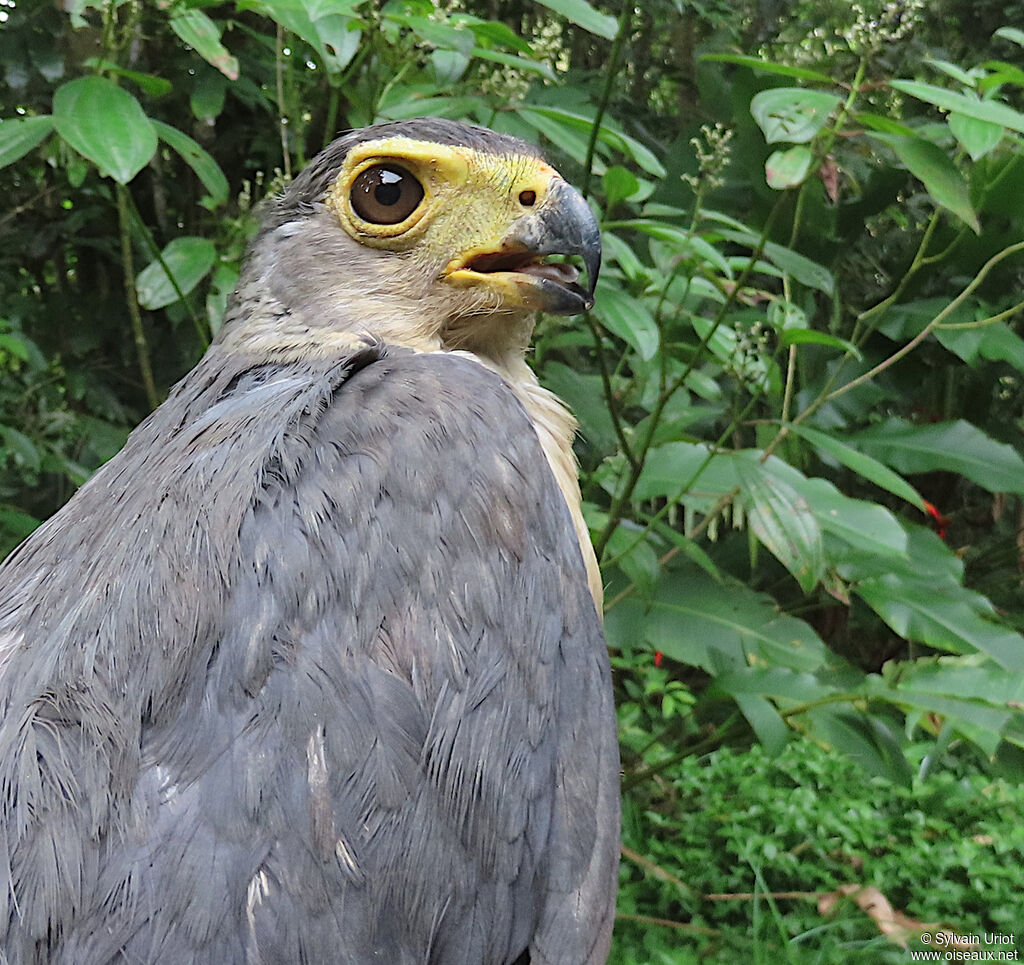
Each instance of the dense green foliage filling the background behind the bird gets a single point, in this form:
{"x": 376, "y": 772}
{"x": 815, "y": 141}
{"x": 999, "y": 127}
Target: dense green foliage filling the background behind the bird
{"x": 800, "y": 394}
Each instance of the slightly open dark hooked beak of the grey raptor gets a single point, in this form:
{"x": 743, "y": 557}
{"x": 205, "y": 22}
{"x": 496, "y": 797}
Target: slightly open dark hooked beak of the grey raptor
{"x": 563, "y": 225}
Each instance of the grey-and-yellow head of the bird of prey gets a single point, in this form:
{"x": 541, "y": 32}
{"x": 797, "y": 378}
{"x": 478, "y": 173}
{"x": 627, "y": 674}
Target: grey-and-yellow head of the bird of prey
{"x": 425, "y": 233}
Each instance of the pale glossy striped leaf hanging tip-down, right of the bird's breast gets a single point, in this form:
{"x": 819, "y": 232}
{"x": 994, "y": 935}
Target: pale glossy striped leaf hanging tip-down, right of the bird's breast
{"x": 783, "y": 521}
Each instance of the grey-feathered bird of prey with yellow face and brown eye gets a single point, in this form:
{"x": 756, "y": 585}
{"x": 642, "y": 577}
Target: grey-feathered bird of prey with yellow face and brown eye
{"x": 313, "y": 670}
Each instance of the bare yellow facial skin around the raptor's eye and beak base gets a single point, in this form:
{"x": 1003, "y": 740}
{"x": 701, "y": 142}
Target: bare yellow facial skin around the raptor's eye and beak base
{"x": 475, "y": 204}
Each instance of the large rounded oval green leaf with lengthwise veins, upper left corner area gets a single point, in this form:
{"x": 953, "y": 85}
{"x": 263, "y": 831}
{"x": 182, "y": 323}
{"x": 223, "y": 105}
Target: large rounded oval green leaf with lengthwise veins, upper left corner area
{"x": 105, "y": 124}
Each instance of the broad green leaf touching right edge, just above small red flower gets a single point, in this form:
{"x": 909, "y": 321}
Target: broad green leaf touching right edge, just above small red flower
{"x": 953, "y": 447}
